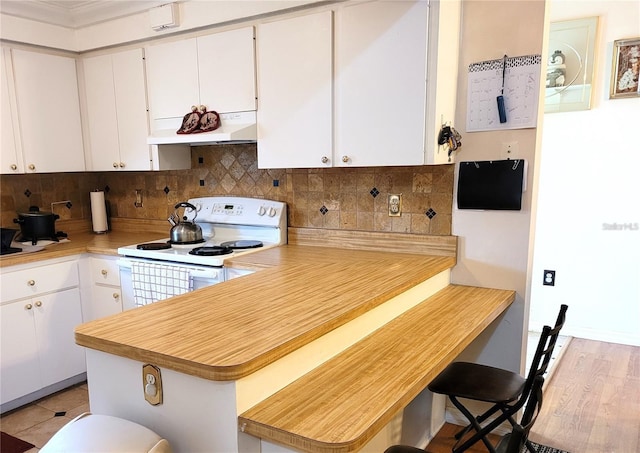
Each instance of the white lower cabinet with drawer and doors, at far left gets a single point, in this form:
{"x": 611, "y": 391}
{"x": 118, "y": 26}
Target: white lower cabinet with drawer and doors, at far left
{"x": 40, "y": 309}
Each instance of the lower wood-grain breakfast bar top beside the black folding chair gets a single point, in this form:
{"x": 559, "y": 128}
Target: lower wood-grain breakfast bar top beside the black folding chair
{"x": 341, "y": 405}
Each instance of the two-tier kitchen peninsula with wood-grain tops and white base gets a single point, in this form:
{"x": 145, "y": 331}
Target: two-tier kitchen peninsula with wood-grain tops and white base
{"x": 230, "y": 352}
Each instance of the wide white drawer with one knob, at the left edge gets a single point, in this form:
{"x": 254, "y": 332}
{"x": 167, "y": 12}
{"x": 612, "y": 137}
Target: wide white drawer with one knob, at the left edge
{"x": 38, "y": 280}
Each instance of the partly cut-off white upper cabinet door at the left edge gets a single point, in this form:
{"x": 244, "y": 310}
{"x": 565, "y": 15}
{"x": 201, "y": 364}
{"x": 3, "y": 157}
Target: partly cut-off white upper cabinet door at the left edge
{"x": 11, "y": 162}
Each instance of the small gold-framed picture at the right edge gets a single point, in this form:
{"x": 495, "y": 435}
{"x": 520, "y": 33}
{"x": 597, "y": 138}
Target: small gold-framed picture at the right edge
{"x": 626, "y": 69}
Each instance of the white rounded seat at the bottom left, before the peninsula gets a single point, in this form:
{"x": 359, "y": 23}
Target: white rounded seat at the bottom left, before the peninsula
{"x": 105, "y": 434}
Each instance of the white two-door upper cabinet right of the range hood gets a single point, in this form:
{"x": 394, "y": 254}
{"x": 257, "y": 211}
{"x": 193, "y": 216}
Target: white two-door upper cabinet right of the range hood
{"x": 365, "y": 93}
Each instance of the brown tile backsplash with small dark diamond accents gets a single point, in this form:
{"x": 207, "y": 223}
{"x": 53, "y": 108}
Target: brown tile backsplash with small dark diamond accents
{"x": 332, "y": 198}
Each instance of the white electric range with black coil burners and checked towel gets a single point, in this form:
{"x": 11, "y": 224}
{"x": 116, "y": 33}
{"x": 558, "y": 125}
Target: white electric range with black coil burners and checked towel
{"x": 231, "y": 226}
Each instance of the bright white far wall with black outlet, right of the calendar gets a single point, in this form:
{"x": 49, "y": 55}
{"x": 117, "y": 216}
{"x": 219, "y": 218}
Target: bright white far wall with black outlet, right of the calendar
{"x": 589, "y": 175}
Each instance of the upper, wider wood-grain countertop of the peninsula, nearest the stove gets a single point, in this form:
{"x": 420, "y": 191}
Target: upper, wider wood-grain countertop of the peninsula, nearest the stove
{"x": 230, "y": 330}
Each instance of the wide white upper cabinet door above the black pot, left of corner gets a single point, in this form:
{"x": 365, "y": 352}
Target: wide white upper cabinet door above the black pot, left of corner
{"x": 48, "y": 112}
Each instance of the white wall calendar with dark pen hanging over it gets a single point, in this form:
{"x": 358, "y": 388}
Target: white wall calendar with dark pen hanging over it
{"x": 516, "y": 80}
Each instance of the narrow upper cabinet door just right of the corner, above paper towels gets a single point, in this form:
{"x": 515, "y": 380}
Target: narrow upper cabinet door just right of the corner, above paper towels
{"x": 101, "y": 113}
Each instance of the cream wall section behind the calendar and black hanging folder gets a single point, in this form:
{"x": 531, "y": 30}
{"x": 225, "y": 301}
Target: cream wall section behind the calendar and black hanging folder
{"x": 494, "y": 245}
